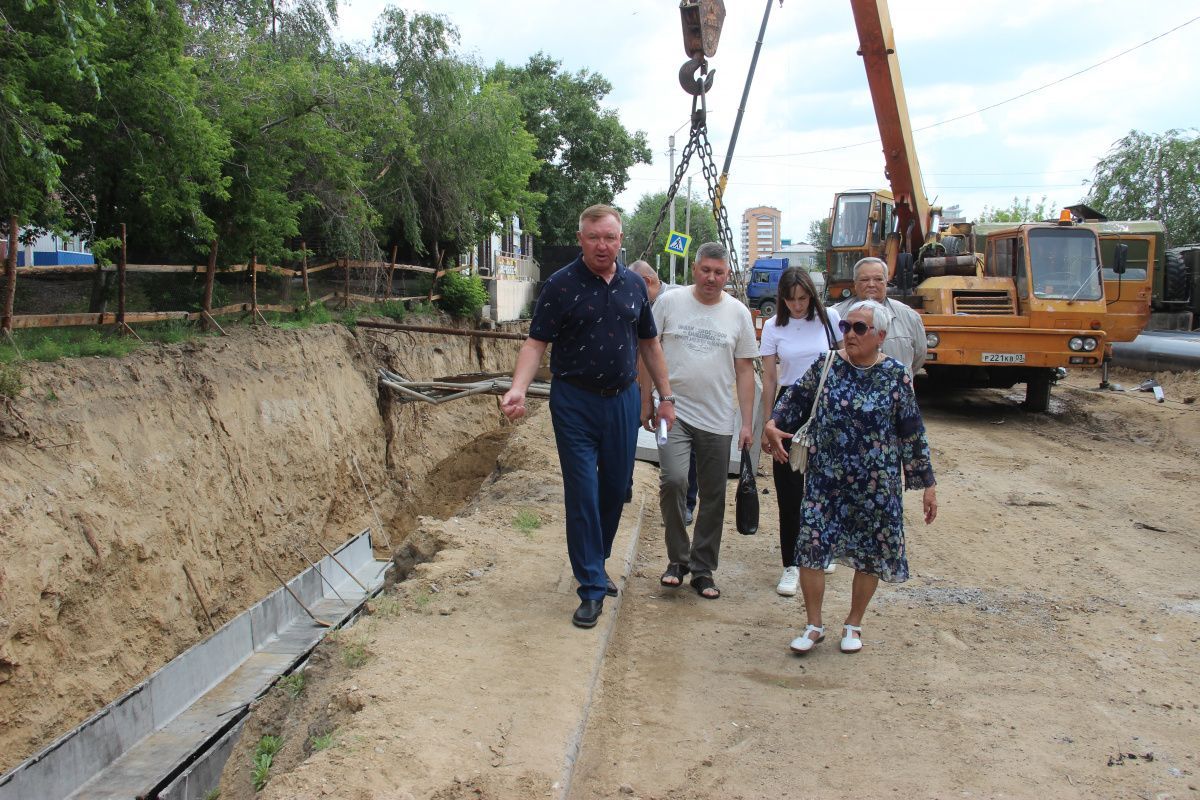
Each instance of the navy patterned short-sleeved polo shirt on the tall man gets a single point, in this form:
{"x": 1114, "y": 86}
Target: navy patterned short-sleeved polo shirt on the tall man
{"x": 593, "y": 326}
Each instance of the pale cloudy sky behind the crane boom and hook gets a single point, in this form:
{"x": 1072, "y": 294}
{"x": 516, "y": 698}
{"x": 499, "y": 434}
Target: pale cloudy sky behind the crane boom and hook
{"x": 809, "y": 129}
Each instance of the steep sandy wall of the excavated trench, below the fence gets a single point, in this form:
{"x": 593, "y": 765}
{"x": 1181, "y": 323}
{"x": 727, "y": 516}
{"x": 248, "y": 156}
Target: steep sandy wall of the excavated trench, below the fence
{"x": 142, "y": 497}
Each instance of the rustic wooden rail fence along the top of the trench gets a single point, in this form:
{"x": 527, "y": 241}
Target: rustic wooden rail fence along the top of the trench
{"x": 123, "y": 320}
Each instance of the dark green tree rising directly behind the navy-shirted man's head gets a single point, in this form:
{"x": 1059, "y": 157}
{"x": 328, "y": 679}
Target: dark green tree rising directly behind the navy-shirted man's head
{"x": 585, "y": 151}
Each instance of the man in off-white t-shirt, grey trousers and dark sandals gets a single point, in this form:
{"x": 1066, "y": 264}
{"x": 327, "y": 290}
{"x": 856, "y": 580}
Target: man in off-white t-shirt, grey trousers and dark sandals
{"x": 710, "y": 346}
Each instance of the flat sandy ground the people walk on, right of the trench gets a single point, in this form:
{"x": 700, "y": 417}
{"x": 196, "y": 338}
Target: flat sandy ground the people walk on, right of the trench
{"x": 1046, "y": 646}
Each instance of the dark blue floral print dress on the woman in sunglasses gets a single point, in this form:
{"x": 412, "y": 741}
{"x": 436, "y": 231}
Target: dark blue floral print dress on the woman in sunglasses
{"x": 869, "y": 446}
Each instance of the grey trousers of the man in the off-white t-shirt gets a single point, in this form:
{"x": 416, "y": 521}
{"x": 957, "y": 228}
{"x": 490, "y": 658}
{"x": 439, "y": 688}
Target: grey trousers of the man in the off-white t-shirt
{"x": 712, "y": 452}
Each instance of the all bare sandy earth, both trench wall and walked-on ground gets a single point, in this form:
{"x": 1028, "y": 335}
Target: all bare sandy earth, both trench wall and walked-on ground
{"x": 1047, "y": 645}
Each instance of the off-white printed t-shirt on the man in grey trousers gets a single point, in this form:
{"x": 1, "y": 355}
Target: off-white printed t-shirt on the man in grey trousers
{"x": 700, "y": 344}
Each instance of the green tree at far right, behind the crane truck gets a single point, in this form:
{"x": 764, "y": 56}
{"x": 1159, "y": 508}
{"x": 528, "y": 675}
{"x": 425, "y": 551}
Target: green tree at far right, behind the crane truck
{"x": 1153, "y": 177}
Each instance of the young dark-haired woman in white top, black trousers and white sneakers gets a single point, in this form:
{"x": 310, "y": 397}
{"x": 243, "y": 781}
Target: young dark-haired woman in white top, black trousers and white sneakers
{"x": 800, "y": 333}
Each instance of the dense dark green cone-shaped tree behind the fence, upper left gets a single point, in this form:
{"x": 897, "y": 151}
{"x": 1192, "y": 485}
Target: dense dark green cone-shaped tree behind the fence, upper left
{"x": 146, "y": 154}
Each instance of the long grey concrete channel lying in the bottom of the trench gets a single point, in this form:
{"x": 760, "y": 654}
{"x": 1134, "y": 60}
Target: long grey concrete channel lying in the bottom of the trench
{"x": 179, "y": 720}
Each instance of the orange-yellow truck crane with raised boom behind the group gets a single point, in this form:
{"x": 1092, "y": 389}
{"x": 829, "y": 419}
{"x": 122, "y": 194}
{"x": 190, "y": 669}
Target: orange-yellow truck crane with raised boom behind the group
{"x": 1005, "y": 305}
